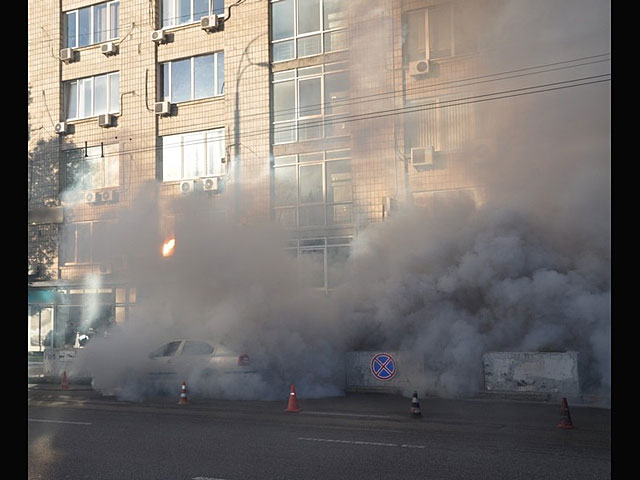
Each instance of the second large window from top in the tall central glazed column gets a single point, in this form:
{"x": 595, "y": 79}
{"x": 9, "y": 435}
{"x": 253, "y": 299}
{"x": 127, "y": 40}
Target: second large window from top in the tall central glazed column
{"x": 310, "y": 103}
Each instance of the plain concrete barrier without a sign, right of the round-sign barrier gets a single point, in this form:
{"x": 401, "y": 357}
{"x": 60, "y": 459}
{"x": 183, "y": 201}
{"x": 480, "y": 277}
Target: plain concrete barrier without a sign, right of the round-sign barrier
{"x": 551, "y": 372}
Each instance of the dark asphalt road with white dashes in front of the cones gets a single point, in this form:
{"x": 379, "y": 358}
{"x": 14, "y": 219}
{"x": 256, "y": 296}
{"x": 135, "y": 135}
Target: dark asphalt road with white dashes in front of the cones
{"x": 77, "y": 434}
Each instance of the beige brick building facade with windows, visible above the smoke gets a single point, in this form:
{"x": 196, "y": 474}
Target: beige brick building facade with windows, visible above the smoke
{"x": 313, "y": 116}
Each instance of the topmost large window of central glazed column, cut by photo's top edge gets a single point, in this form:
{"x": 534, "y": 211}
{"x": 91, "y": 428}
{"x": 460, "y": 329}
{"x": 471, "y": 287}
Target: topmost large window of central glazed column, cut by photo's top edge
{"x": 301, "y": 28}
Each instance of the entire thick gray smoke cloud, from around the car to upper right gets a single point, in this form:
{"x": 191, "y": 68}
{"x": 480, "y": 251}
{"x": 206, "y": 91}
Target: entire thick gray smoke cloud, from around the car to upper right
{"x": 526, "y": 270}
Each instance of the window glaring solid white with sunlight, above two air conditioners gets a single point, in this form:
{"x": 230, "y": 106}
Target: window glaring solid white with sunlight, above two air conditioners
{"x": 193, "y": 155}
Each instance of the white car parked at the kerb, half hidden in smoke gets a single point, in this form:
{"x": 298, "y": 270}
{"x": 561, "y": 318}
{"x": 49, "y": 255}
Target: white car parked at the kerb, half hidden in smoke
{"x": 196, "y": 359}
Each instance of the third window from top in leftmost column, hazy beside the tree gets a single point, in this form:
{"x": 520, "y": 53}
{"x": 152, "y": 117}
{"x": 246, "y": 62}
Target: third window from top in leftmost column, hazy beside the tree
{"x": 91, "y": 168}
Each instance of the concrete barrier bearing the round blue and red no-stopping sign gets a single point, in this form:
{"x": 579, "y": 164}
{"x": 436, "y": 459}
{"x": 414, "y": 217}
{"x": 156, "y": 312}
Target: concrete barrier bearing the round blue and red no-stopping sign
{"x": 383, "y": 371}
